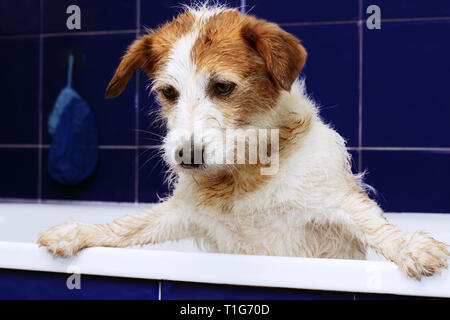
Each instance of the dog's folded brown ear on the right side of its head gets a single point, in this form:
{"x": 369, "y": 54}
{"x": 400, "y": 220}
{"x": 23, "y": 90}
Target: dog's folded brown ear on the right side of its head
{"x": 282, "y": 52}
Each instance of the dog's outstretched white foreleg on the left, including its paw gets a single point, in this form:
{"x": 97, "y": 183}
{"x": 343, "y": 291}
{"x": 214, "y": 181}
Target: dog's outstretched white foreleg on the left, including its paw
{"x": 162, "y": 222}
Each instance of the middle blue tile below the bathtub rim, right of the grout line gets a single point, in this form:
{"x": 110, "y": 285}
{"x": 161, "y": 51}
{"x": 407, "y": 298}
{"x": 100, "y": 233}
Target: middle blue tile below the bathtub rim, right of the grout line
{"x": 171, "y": 290}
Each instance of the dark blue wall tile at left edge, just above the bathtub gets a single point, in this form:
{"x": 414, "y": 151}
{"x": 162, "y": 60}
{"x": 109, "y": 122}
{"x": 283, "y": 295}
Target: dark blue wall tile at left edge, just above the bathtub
{"x": 18, "y": 172}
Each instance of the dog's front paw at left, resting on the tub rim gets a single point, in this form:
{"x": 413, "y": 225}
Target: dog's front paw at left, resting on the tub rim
{"x": 63, "y": 240}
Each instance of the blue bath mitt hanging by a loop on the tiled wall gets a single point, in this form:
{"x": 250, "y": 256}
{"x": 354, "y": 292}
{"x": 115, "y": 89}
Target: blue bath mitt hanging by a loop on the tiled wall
{"x": 74, "y": 150}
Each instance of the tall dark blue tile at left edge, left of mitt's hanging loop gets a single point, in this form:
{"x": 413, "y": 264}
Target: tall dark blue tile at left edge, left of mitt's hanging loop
{"x": 19, "y": 78}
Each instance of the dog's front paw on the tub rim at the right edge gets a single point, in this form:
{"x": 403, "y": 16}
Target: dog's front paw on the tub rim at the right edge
{"x": 421, "y": 255}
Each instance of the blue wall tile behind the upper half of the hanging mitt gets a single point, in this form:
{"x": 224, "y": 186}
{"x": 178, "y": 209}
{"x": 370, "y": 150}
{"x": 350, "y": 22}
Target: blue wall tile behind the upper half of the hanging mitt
{"x": 98, "y": 57}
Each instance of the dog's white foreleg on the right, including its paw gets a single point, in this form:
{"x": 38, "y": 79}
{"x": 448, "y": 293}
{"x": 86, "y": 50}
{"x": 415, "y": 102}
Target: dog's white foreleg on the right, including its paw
{"x": 416, "y": 253}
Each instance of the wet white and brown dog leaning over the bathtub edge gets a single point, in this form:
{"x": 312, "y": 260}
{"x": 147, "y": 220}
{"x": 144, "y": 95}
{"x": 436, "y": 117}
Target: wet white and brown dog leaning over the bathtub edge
{"x": 216, "y": 69}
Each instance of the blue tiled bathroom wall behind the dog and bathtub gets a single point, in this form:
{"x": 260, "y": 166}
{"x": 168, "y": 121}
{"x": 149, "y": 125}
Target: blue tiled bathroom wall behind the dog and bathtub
{"x": 385, "y": 90}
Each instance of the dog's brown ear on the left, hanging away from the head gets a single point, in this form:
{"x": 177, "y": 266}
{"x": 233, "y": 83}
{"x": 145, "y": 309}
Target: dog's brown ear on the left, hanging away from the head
{"x": 138, "y": 56}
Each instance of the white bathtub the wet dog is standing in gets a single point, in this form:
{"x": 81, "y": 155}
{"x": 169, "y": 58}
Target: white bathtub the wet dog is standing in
{"x": 20, "y": 225}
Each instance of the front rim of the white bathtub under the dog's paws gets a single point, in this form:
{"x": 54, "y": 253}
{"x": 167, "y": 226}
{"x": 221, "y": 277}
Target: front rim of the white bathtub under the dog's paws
{"x": 355, "y": 276}
